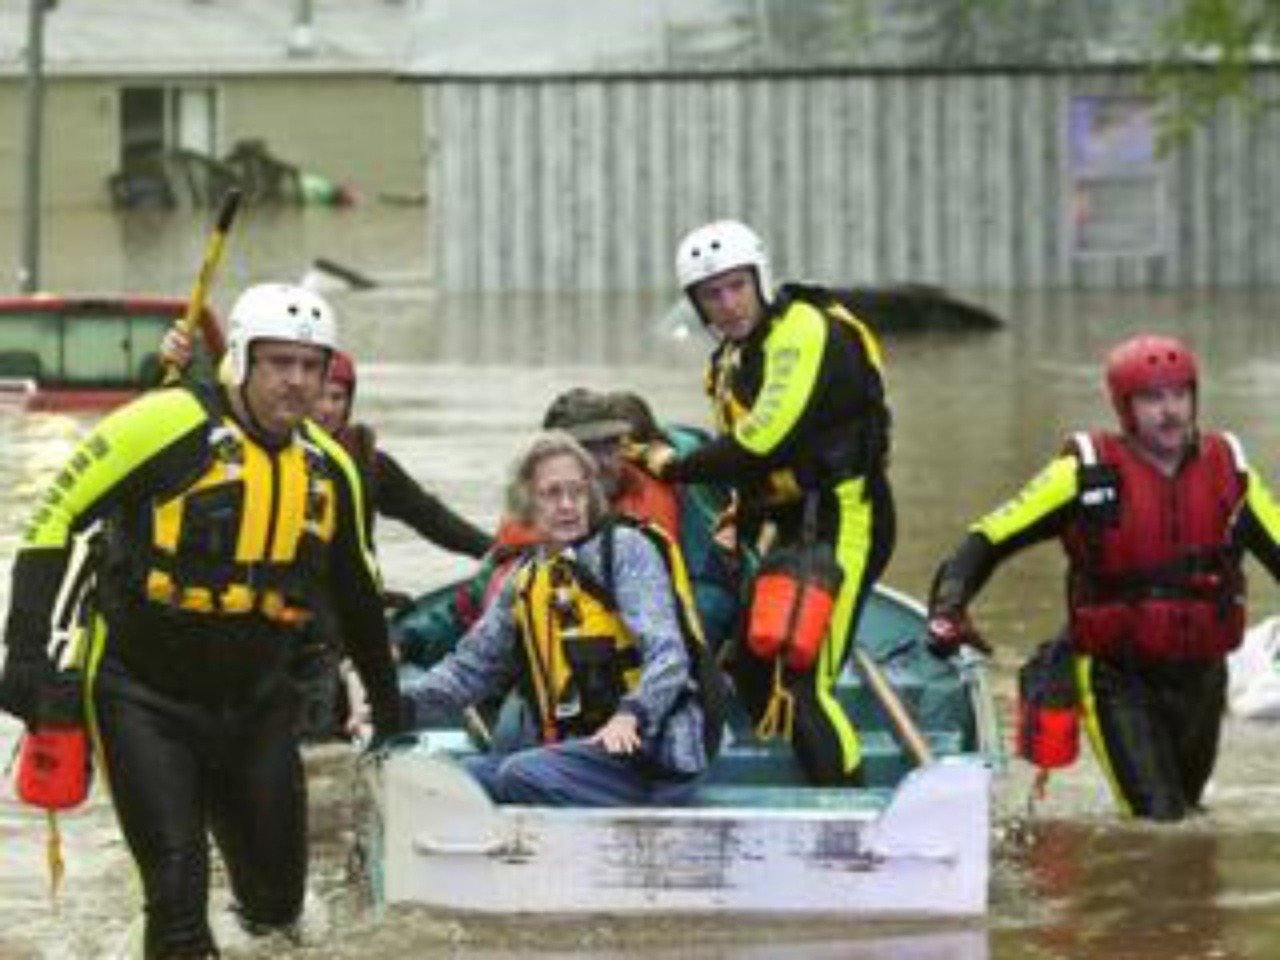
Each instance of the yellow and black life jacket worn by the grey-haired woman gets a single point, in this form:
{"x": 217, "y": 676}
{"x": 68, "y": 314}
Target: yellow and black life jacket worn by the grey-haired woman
{"x": 582, "y": 660}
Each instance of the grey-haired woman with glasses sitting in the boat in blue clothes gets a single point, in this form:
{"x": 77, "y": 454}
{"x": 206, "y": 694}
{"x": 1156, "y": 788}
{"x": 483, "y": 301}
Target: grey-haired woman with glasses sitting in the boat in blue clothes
{"x": 591, "y": 632}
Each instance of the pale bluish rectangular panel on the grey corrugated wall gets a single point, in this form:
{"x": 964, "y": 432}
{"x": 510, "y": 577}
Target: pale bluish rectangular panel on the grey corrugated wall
{"x": 1116, "y": 191}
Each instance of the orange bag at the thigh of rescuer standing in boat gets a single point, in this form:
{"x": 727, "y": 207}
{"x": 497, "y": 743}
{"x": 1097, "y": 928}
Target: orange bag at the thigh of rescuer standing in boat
{"x": 792, "y": 604}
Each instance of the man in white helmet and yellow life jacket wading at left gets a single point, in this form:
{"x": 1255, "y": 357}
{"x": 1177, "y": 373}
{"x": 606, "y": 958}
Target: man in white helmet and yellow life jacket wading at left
{"x": 225, "y": 518}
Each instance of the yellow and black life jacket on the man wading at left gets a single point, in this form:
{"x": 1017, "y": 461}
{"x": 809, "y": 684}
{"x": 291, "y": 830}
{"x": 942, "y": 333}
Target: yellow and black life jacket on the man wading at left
{"x": 249, "y": 534}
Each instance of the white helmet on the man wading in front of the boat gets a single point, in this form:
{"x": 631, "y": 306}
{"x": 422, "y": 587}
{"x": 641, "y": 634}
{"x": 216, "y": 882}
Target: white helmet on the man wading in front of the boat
{"x": 277, "y": 312}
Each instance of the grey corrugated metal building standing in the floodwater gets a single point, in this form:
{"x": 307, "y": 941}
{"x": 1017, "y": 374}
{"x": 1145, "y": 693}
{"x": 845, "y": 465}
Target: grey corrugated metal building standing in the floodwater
{"x": 572, "y": 143}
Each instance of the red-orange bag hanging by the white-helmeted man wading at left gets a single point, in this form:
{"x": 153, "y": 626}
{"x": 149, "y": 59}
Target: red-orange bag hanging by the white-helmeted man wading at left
{"x": 53, "y": 762}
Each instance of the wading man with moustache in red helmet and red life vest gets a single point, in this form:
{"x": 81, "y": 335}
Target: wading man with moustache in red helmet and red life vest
{"x": 1155, "y": 520}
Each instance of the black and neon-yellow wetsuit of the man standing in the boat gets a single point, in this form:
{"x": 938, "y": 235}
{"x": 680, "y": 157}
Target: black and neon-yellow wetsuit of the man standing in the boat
{"x": 803, "y": 419}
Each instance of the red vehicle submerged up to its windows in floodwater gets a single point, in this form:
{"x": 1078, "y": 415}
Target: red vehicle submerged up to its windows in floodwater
{"x": 84, "y": 353}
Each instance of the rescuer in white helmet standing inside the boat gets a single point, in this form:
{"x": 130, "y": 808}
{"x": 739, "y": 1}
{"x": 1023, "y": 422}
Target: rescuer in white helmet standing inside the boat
{"x": 804, "y": 433}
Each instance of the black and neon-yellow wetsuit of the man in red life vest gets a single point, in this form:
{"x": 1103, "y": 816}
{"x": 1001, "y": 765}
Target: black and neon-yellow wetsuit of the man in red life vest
{"x": 1154, "y": 721}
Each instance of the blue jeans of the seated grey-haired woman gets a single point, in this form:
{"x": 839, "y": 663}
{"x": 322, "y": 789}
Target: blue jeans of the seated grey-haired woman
{"x": 578, "y": 774}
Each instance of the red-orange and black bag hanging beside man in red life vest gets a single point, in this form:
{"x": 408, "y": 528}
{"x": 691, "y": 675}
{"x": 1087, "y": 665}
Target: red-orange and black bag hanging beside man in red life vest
{"x": 1049, "y": 721}
